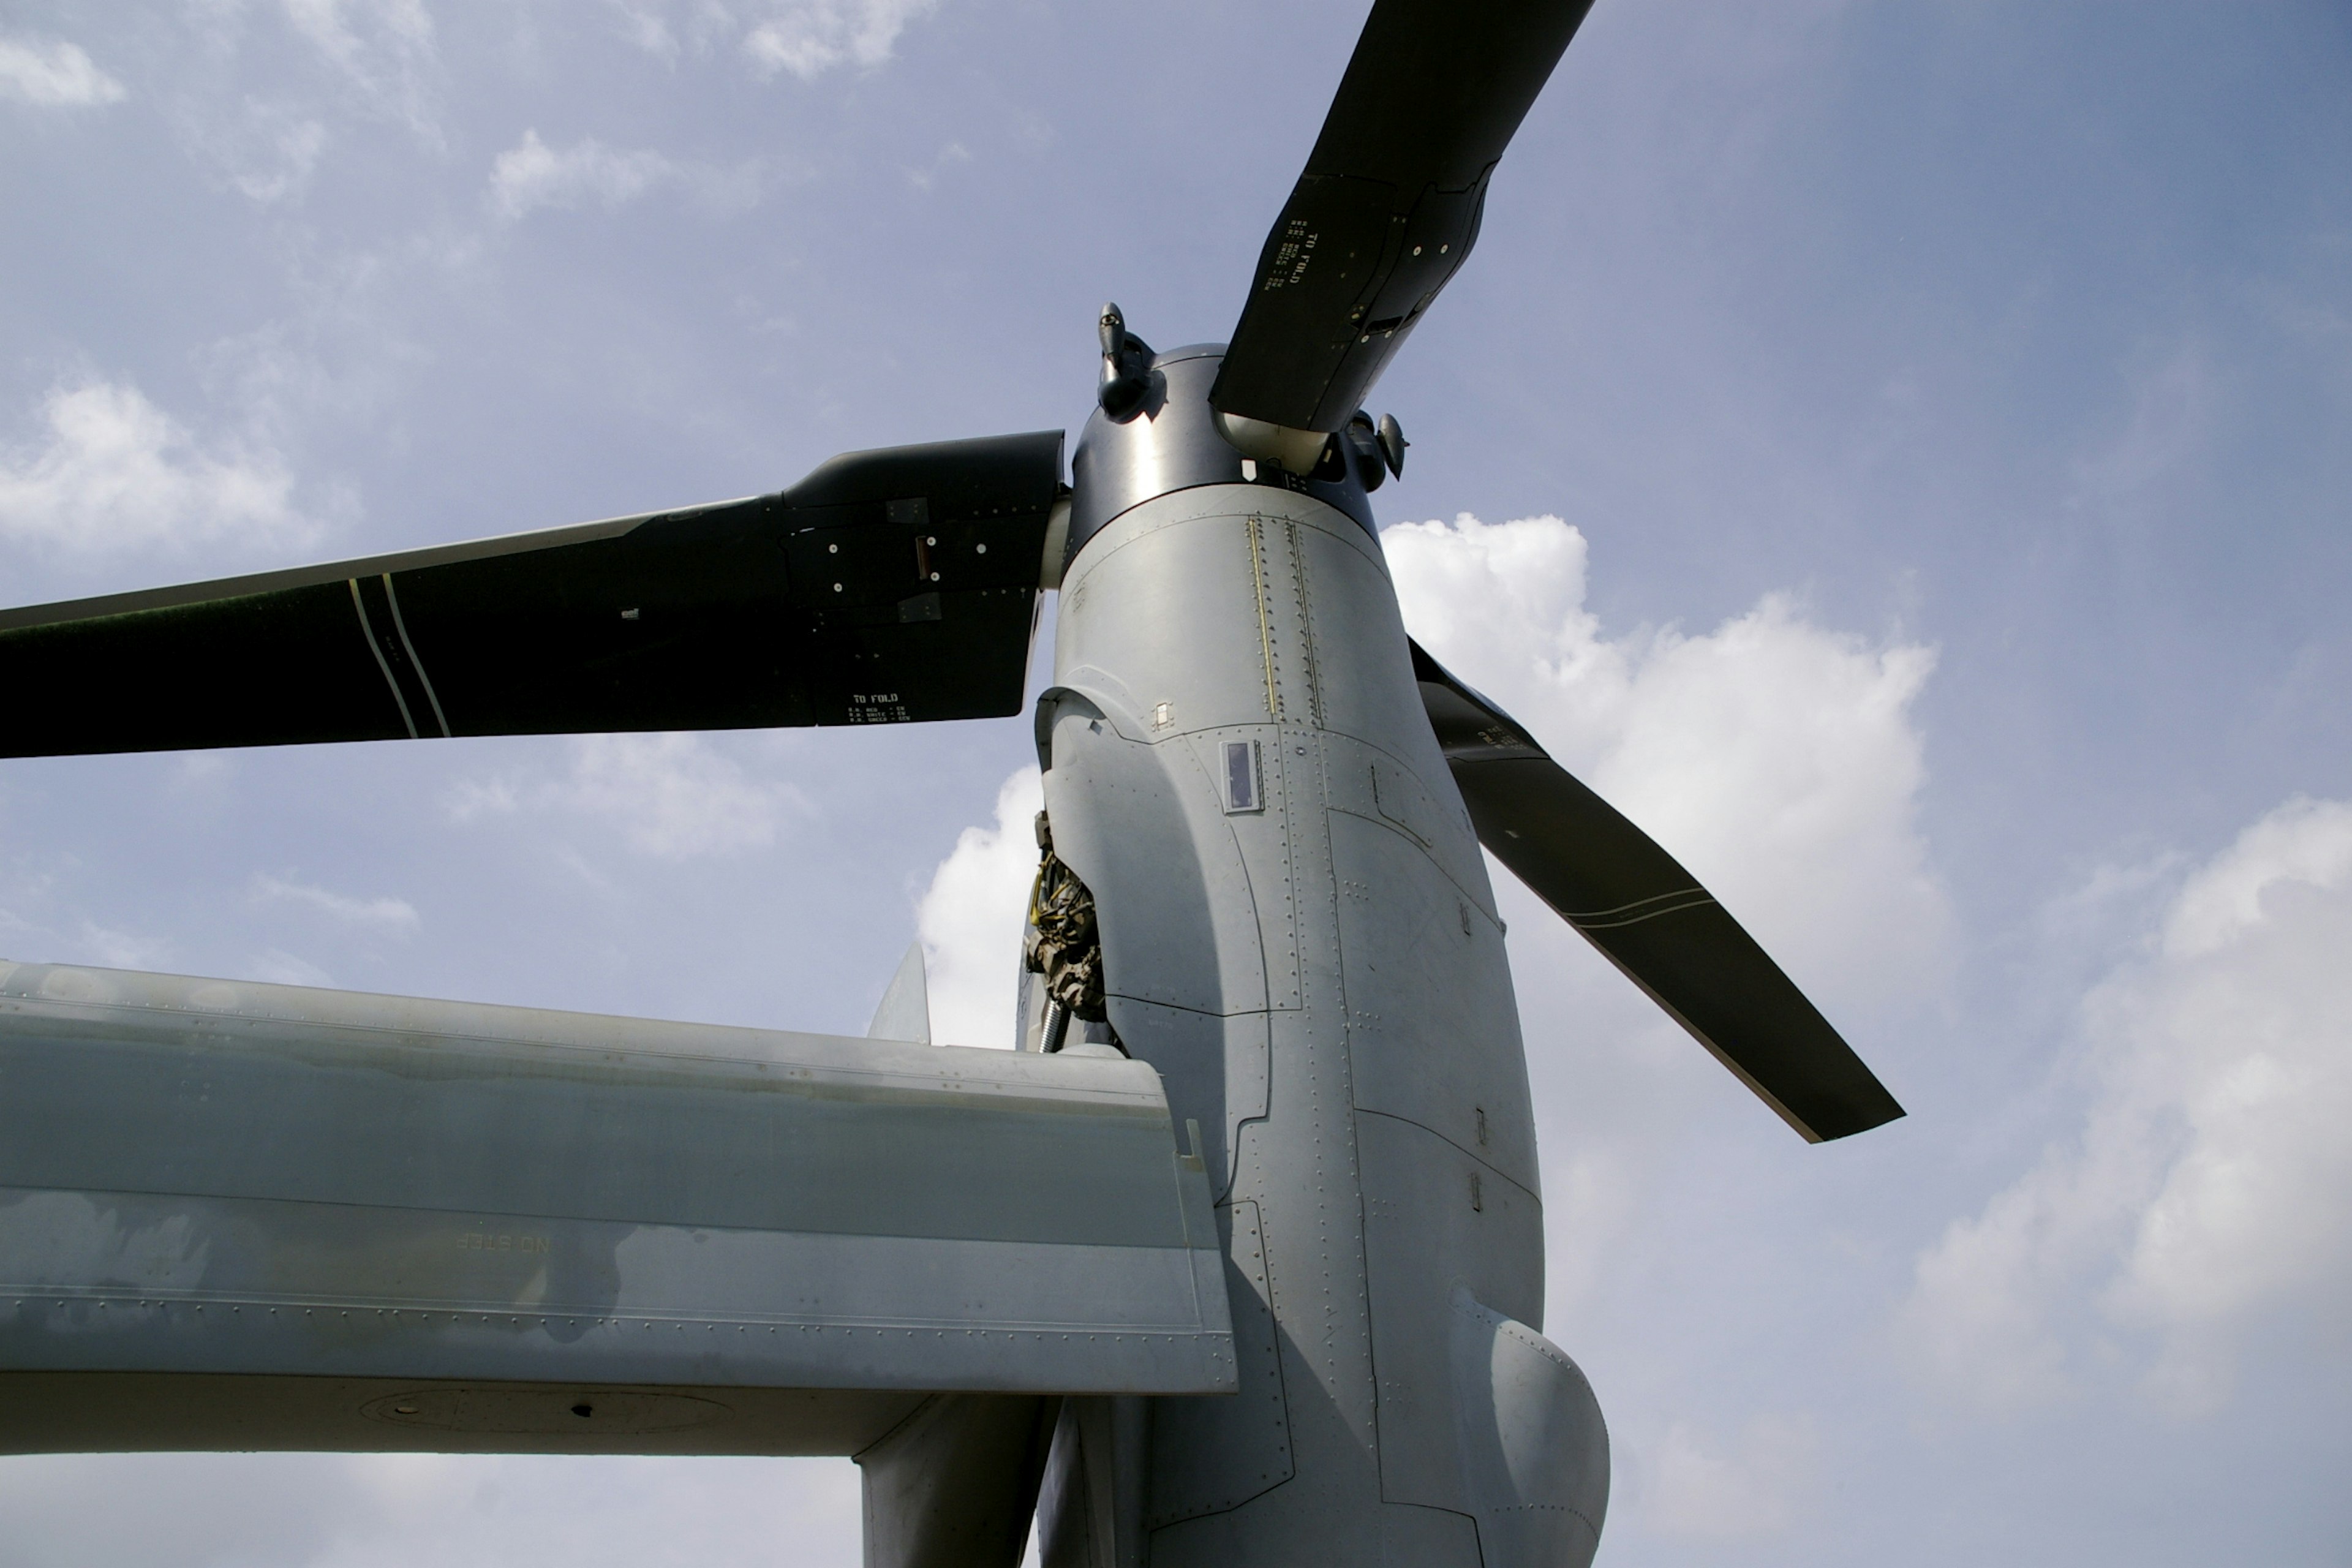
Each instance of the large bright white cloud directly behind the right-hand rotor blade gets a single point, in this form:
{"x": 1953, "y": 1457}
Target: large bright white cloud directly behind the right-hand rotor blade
{"x": 1775, "y": 758}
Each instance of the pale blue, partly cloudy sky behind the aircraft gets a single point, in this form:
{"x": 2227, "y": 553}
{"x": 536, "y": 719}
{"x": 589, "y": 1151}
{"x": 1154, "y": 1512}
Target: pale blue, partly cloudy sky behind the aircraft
{"x": 1895, "y": 453}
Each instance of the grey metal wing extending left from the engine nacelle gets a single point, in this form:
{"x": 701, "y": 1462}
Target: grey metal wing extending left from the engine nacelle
{"x": 262, "y": 1217}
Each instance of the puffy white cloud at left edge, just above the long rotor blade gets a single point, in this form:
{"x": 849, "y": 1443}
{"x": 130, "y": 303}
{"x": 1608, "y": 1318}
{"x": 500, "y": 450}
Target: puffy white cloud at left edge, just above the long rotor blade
{"x": 119, "y": 474}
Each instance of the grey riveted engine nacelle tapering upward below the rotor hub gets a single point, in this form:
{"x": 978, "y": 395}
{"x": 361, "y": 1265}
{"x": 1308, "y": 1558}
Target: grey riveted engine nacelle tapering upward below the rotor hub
{"x": 1302, "y": 939}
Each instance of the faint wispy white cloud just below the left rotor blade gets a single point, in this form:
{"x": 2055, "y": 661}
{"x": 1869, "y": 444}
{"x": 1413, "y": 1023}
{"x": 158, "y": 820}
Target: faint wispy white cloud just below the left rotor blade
{"x": 671, "y": 796}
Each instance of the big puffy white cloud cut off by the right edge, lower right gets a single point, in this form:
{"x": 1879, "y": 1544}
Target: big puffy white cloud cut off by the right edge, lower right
{"x": 2207, "y": 1193}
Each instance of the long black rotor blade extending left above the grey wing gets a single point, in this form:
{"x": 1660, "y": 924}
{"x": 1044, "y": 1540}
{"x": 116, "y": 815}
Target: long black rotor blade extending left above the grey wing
{"x": 888, "y": 587}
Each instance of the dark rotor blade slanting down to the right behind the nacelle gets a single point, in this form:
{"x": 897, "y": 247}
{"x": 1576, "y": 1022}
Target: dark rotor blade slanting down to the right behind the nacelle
{"x": 1650, "y": 918}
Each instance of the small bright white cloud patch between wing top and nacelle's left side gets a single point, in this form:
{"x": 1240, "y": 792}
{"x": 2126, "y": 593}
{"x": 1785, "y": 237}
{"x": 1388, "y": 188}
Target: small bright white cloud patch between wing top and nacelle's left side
{"x": 970, "y": 920}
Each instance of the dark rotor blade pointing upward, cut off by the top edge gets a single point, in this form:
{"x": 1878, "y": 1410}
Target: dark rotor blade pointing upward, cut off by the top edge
{"x": 1389, "y": 203}
